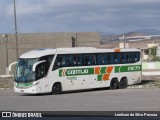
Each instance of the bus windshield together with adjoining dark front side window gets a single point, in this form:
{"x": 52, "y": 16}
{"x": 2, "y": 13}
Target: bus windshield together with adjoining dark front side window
{"x": 24, "y": 72}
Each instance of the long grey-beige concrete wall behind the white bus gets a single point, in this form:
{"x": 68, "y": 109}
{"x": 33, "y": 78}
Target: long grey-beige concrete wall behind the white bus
{"x": 30, "y": 41}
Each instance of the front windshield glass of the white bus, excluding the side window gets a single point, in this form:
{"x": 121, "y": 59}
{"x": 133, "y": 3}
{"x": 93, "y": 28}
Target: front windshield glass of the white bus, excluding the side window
{"x": 24, "y": 71}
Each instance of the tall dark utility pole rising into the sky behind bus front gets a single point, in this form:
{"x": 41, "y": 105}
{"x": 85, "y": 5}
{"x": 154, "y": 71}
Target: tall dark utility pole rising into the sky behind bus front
{"x": 15, "y": 25}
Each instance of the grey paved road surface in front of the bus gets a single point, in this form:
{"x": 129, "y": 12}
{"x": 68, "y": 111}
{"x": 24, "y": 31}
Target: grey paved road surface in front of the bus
{"x": 97, "y": 100}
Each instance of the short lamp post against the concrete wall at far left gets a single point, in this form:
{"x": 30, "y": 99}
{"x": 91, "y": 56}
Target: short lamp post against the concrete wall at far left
{"x": 6, "y": 42}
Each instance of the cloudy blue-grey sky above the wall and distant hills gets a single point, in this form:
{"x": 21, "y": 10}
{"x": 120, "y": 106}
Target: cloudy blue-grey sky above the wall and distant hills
{"x": 110, "y": 16}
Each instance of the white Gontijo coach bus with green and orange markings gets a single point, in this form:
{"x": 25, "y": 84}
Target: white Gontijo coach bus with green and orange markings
{"x": 64, "y": 69}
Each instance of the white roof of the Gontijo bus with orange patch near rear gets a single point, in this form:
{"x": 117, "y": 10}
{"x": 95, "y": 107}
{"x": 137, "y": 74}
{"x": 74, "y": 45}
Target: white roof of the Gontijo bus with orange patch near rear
{"x": 48, "y": 51}
